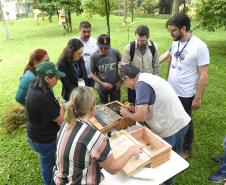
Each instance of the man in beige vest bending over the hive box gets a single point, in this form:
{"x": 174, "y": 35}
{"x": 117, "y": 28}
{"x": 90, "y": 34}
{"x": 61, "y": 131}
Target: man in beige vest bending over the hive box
{"x": 157, "y": 105}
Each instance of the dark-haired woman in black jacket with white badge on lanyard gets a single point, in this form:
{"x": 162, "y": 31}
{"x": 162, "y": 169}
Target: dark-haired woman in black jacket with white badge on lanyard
{"x": 72, "y": 64}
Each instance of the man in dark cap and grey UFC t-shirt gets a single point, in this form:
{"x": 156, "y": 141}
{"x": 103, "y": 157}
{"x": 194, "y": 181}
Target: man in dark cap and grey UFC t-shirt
{"x": 104, "y": 67}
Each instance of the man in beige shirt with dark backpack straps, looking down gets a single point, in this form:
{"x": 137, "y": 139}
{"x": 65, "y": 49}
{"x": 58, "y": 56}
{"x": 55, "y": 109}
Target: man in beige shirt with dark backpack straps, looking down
{"x": 143, "y": 54}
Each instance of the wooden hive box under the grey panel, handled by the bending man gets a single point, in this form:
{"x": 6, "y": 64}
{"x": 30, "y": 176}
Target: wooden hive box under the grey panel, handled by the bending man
{"x": 119, "y": 123}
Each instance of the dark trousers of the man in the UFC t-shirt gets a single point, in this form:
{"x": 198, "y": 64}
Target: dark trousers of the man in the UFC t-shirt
{"x": 104, "y": 95}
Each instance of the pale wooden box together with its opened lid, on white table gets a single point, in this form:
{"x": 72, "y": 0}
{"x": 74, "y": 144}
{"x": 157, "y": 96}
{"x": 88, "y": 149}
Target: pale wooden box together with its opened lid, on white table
{"x": 156, "y": 151}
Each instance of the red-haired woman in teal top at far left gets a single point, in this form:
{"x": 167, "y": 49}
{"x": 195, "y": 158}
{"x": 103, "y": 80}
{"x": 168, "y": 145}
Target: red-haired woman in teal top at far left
{"x": 36, "y": 57}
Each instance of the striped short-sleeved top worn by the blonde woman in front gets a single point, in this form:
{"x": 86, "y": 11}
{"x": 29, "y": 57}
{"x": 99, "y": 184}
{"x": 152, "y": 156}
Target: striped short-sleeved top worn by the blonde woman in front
{"x": 80, "y": 148}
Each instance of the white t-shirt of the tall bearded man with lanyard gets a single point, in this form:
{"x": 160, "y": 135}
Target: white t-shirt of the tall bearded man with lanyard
{"x": 184, "y": 72}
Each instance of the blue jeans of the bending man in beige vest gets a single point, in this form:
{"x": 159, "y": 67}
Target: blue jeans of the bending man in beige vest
{"x": 175, "y": 141}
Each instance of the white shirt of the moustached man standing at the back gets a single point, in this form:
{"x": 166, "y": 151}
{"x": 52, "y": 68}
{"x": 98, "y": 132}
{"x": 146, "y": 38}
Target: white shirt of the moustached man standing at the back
{"x": 90, "y": 47}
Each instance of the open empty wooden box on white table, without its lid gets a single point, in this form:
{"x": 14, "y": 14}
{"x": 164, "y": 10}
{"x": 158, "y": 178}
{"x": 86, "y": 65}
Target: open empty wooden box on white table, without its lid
{"x": 159, "y": 148}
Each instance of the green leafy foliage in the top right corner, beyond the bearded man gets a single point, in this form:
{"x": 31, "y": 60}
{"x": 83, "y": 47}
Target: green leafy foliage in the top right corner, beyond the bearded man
{"x": 211, "y": 14}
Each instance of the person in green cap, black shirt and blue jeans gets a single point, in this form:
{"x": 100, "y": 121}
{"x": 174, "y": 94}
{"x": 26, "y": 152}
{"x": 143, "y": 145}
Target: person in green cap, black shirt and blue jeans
{"x": 45, "y": 116}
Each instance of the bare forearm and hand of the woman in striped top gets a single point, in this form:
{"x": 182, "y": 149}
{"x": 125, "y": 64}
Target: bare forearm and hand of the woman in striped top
{"x": 112, "y": 165}
